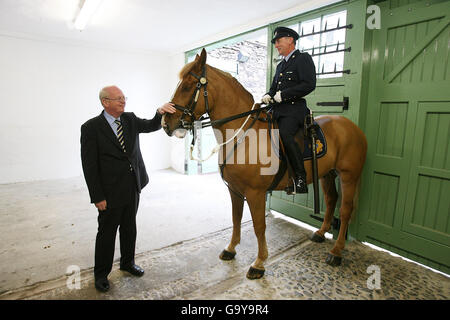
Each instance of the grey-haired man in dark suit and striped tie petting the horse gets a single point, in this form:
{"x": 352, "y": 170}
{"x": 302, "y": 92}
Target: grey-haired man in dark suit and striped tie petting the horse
{"x": 115, "y": 175}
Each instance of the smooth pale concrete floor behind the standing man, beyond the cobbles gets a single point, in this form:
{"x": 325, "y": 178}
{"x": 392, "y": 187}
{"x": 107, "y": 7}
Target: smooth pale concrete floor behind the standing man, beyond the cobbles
{"x": 47, "y": 226}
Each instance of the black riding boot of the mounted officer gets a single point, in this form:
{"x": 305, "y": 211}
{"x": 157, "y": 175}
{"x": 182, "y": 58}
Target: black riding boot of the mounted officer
{"x": 296, "y": 160}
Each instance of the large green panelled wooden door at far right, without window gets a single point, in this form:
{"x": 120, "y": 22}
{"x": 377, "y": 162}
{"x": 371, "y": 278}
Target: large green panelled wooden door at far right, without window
{"x": 405, "y": 197}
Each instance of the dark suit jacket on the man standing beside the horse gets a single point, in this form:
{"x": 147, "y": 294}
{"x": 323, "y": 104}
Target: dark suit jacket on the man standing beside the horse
{"x": 107, "y": 168}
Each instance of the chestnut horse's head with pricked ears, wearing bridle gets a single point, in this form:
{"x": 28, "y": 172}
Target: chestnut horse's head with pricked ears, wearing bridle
{"x": 190, "y": 98}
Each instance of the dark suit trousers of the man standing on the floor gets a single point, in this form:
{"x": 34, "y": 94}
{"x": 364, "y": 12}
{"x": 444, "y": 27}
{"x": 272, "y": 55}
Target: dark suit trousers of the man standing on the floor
{"x": 124, "y": 218}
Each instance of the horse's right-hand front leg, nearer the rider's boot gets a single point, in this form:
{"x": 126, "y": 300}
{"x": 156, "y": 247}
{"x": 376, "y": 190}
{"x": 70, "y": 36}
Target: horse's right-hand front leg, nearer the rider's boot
{"x": 256, "y": 202}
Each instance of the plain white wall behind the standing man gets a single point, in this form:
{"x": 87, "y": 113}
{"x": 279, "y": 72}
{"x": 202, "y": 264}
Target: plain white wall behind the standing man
{"x": 47, "y": 90}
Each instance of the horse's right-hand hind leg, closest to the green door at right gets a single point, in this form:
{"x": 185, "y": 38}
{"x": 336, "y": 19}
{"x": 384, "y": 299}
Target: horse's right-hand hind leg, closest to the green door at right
{"x": 348, "y": 184}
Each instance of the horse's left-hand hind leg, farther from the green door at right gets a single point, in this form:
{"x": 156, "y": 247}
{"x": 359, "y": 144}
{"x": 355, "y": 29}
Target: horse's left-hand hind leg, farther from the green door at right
{"x": 331, "y": 196}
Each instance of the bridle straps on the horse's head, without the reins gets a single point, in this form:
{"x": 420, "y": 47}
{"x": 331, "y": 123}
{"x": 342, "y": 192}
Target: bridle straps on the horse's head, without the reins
{"x": 189, "y": 110}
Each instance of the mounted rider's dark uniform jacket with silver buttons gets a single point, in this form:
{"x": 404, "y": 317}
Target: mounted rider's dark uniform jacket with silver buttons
{"x": 295, "y": 79}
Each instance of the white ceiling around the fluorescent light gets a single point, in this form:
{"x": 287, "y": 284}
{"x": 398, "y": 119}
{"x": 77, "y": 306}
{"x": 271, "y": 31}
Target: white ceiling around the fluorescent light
{"x": 150, "y": 25}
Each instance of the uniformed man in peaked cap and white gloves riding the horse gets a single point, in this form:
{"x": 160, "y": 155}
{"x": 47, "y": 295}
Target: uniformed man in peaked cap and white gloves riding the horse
{"x": 295, "y": 77}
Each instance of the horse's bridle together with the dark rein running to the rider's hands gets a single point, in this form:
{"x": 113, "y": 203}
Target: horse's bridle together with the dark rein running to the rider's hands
{"x": 189, "y": 111}
